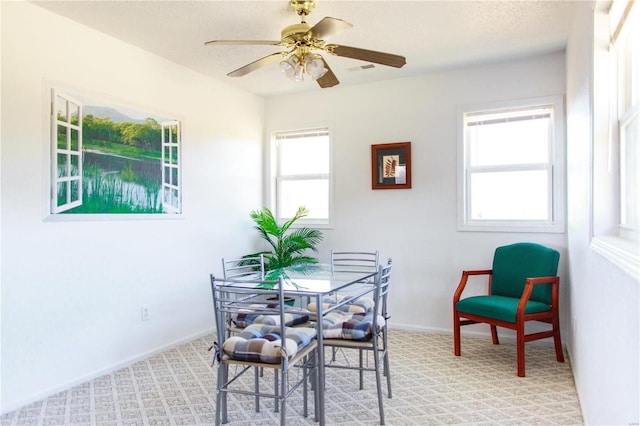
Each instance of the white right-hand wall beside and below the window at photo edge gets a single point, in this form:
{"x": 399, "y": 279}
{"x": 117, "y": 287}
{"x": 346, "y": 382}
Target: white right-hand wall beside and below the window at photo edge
{"x": 604, "y": 301}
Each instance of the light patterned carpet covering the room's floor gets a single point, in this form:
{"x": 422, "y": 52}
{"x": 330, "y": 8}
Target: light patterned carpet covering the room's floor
{"x": 430, "y": 387}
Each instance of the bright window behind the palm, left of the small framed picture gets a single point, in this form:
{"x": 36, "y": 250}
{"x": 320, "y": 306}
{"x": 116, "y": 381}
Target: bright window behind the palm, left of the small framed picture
{"x": 303, "y": 174}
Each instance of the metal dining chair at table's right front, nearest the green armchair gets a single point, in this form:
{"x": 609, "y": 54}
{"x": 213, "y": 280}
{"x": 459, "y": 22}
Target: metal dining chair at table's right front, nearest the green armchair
{"x": 366, "y": 332}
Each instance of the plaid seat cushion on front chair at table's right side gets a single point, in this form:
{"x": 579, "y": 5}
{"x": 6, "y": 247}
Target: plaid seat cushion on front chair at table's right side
{"x": 349, "y": 326}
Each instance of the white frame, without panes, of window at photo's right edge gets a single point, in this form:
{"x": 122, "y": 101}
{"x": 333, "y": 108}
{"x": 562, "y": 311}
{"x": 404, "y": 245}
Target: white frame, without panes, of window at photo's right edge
{"x": 611, "y": 238}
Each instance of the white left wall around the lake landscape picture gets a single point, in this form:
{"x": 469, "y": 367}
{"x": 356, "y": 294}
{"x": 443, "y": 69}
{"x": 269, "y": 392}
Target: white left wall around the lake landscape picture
{"x": 72, "y": 291}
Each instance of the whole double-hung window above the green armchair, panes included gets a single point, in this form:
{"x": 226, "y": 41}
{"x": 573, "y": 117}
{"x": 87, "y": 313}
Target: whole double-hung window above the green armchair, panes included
{"x": 512, "y": 166}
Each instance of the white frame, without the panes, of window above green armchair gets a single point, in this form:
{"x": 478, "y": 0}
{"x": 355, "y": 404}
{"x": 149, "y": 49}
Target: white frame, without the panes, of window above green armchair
{"x": 555, "y": 168}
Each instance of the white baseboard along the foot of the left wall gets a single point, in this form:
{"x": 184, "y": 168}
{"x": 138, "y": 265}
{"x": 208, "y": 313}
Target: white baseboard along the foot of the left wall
{"x": 14, "y": 405}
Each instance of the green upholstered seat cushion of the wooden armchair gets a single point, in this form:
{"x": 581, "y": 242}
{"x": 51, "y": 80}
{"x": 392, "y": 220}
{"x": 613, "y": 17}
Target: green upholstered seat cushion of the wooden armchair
{"x": 498, "y": 307}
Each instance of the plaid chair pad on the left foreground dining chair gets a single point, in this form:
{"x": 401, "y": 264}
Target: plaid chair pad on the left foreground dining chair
{"x": 263, "y": 343}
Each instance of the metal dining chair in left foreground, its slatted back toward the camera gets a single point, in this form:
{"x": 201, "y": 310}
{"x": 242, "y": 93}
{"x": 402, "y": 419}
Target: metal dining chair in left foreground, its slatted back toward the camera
{"x": 269, "y": 344}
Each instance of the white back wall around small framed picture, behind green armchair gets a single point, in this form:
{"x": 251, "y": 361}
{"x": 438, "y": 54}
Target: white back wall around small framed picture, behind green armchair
{"x": 417, "y": 227}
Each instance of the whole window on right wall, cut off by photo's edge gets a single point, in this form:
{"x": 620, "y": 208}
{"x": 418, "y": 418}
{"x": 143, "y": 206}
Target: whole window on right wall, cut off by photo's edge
{"x": 616, "y": 133}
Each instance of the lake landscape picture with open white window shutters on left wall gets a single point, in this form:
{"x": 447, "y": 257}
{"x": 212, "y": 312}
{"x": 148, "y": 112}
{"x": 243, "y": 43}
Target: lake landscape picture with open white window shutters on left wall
{"x": 109, "y": 158}
